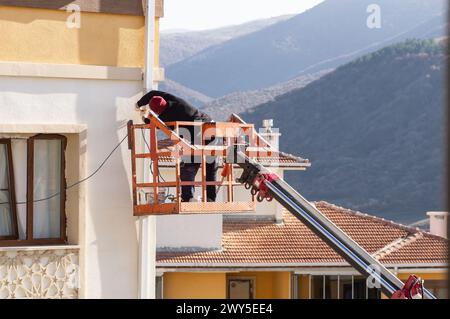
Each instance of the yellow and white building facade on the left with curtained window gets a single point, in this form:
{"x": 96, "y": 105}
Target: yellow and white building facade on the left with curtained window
{"x": 70, "y": 73}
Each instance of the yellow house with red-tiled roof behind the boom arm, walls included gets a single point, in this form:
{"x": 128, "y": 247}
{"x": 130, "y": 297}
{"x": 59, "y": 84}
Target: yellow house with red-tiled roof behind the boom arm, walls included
{"x": 264, "y": 258}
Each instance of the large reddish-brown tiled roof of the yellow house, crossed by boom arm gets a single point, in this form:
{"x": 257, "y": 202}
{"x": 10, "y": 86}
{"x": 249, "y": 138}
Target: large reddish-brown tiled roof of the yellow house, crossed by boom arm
{"x": 253, "y": 242}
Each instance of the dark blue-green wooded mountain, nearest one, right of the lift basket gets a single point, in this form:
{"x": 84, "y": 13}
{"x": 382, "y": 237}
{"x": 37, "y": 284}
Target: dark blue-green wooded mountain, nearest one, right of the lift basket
{"x": 373, "y": 130}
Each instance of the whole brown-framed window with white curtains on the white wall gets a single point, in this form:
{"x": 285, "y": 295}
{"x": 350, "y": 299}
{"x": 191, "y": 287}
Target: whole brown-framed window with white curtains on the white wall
{"x": 41, "y": 218}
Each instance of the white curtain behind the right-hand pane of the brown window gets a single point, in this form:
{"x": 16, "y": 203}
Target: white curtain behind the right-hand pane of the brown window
{"x": 47, "y": 182}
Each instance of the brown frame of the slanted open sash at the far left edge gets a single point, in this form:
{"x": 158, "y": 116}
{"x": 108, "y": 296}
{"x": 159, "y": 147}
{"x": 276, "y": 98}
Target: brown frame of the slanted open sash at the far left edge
{"x": 11, "y": 191}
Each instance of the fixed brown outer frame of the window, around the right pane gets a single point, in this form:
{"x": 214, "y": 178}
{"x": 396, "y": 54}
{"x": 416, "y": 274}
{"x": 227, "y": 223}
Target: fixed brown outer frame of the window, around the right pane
{"x": 29, "y": 240}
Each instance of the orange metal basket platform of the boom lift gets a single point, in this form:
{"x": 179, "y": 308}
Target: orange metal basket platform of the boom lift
{"x": 157, "y": 149}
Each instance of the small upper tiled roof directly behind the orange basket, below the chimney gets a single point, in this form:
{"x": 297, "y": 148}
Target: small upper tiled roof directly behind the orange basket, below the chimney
{"x": 275, "y": 159}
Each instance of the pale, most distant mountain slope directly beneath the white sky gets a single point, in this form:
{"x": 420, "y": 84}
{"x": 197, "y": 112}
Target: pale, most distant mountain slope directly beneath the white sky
{"x": 177, "y": 46}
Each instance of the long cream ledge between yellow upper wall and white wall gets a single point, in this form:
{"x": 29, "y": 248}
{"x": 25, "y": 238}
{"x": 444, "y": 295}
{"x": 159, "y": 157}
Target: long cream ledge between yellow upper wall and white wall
{"x": 70, "y": 71}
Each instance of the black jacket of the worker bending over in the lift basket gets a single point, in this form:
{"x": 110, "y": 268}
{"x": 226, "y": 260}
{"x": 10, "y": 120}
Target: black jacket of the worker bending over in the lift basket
{"x": 178, "y": 110}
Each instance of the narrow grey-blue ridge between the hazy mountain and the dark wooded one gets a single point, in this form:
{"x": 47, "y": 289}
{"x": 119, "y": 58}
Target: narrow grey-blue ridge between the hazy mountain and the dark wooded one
{"x": 220, "y": 109}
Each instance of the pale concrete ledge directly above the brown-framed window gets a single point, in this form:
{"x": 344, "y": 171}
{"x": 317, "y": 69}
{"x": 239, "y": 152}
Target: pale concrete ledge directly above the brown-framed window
{"x": 49, "y": 128}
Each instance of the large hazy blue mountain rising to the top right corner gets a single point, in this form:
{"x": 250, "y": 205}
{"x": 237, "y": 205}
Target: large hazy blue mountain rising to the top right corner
{"x": 331, "y": 34}
